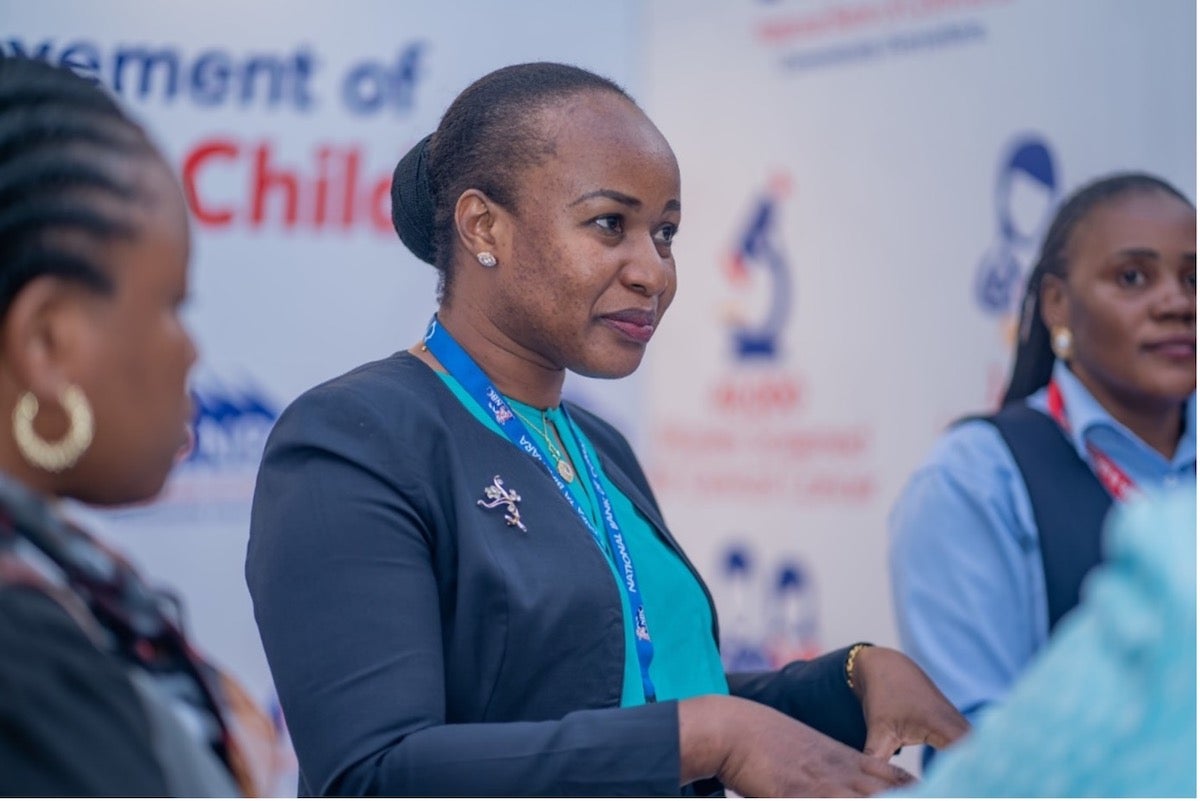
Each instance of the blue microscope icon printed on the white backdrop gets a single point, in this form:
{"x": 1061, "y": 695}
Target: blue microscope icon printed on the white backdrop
{"x": 757, "y": 336}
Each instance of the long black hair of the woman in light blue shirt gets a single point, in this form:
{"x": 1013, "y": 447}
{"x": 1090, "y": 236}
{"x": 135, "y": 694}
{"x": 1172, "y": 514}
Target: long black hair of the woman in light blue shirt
{"x": 1034, "y": 360}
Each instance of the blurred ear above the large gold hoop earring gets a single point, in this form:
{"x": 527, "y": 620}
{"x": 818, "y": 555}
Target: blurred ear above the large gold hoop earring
{"x": 44, "y": 333}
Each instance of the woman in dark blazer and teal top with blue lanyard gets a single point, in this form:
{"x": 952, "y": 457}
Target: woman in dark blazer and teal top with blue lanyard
{"x": 464, "y": 585}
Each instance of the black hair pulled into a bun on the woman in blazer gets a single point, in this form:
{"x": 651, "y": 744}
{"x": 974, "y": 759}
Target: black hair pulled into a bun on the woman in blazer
{"x": 484, "y": 141}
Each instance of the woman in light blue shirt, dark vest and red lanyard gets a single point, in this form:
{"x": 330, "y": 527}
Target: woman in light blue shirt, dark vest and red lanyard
{"x": 992, "y": 537}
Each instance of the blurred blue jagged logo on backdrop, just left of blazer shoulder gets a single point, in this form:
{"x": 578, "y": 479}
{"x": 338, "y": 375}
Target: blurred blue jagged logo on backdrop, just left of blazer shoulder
{"x": 232, "y": 425}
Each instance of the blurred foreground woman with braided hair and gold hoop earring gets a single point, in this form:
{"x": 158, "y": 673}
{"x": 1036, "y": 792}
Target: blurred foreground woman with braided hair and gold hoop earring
{"x": 100, "y": 691}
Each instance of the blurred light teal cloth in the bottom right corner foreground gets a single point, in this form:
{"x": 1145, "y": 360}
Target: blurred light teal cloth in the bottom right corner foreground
{"x": 1109, "y": 709}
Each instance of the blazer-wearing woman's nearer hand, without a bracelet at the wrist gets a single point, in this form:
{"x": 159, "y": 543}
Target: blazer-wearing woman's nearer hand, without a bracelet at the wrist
{"x": 759, "y": 752}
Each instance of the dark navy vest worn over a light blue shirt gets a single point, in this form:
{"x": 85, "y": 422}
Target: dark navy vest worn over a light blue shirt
{"x": 1070, "y": 504}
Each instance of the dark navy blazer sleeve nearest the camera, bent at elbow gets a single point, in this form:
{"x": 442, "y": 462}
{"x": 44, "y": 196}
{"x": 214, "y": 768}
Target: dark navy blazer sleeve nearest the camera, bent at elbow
{"x": 341, "y": 570}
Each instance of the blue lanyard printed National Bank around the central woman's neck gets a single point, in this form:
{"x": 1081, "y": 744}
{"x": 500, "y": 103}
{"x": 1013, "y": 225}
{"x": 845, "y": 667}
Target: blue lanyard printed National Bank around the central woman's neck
{"x": 464, "y": 370}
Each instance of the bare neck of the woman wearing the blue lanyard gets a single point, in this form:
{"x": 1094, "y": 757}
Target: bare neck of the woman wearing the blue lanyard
{"x": 514, "y": 371}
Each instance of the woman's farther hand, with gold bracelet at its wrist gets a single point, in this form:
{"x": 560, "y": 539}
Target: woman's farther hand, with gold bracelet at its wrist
{"x": 901, "y": 704}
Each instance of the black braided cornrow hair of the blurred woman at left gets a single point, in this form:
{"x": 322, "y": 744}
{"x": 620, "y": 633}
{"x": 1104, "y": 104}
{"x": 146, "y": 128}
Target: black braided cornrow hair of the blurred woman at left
{"x": 63, "y": 140}
